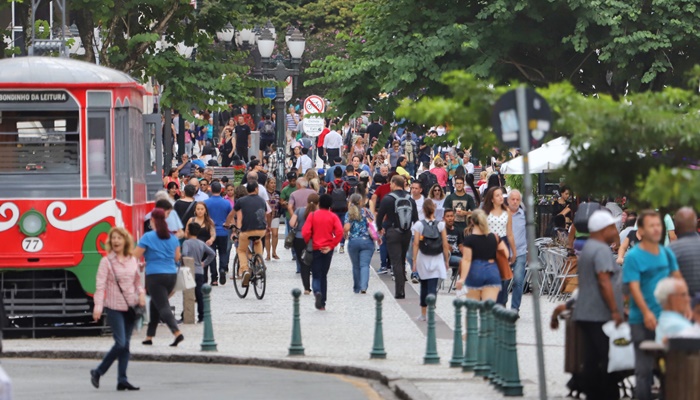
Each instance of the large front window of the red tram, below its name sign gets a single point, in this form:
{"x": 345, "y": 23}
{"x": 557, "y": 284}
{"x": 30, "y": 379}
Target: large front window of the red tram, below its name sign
{"x": 45, "y": 142}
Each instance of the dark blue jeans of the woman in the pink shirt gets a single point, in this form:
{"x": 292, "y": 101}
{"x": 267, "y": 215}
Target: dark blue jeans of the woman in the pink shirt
{"x": 121, "y": 326}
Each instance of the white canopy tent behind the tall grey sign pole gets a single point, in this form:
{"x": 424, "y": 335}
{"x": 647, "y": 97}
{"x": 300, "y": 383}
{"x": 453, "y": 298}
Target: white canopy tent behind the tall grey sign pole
{"x": 552, "y": 155}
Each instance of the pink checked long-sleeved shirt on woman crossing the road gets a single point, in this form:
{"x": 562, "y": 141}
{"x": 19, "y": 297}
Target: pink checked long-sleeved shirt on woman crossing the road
{"x": 107, "y": 293}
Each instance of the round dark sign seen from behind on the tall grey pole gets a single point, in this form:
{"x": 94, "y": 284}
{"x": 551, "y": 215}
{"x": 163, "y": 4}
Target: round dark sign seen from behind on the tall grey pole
{"x": 504, "y": 118}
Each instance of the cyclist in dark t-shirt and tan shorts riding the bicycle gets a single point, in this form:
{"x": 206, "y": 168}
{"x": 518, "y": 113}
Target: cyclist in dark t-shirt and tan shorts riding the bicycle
{"x": 251, "y": 221}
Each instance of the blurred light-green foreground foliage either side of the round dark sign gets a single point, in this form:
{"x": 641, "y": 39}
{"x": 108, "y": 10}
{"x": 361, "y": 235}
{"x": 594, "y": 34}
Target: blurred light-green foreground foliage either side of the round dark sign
{"x": 644, "y": 145}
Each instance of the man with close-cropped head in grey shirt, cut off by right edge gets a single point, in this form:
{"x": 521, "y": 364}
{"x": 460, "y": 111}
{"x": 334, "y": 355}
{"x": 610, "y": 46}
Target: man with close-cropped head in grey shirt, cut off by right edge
{"x": 687, "y": 248}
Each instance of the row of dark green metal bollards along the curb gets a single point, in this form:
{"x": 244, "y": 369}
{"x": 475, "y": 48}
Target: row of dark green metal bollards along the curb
{"x": 489, "y": 350}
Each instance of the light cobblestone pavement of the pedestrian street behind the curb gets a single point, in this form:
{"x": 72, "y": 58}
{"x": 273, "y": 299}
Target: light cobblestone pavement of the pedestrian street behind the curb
{"x": 343, "y": 334}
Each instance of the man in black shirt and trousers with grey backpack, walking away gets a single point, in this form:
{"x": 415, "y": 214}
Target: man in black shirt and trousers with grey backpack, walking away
{"x": 397, "y": 240}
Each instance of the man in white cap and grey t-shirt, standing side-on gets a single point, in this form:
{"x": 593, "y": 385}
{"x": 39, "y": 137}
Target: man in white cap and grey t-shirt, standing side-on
{"x": 599, "y": 301}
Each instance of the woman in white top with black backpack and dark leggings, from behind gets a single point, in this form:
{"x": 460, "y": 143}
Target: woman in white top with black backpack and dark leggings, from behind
{"x": 431, "y": 254}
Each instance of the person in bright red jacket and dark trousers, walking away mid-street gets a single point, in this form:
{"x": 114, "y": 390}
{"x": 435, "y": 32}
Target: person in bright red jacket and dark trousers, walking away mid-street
{"x": 324, "y": 228}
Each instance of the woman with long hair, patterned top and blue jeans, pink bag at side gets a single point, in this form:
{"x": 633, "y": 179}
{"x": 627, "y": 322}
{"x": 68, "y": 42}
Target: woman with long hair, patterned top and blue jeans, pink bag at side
{"x": 360, "y": 243}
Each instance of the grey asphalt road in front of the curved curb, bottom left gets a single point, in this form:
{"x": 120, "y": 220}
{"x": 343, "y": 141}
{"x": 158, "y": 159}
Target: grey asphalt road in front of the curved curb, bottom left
{"x": 68, "y": 379}
